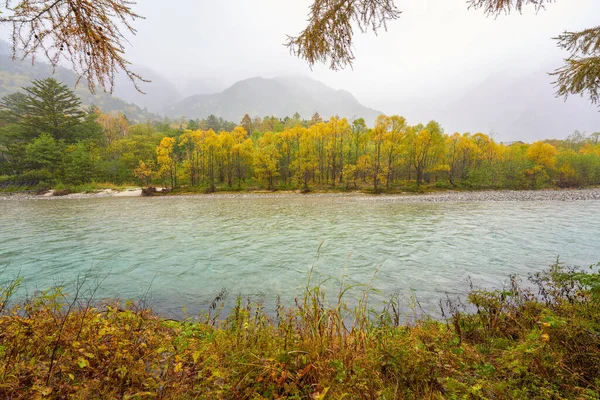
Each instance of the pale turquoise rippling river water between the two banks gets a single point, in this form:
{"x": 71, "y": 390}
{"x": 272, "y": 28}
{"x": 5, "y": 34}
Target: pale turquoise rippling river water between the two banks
{"x": 189, "y": 248}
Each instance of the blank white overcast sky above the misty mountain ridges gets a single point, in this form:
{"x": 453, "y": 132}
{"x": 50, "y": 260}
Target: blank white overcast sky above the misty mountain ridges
{"x": 436, "y": 46}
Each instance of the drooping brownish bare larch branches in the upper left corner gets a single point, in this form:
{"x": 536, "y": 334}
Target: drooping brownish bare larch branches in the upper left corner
{"x": 88, "y": 34}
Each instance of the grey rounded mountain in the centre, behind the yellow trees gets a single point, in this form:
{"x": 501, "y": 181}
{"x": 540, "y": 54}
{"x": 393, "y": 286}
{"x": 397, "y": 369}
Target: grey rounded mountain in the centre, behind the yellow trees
{"x": 278, "y": 97}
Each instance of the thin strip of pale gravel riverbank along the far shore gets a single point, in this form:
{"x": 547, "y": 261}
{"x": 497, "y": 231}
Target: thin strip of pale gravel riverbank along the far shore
{"x": 435, "y": 197}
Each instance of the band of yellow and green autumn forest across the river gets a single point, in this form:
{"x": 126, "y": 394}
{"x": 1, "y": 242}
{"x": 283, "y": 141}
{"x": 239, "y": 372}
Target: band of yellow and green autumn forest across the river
{"x": 47, "y": 139}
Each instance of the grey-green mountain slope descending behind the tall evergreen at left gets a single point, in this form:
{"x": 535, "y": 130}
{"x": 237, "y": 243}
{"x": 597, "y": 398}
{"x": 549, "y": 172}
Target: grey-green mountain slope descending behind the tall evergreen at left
{"x": 16, "y": 74}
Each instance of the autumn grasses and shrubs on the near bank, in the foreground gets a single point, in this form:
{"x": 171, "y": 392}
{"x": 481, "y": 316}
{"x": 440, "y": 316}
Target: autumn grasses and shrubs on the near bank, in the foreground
{"x": 540, "y": 340}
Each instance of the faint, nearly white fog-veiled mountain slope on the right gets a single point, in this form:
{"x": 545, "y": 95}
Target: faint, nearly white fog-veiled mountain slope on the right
{"x": 520, "y": 108}
